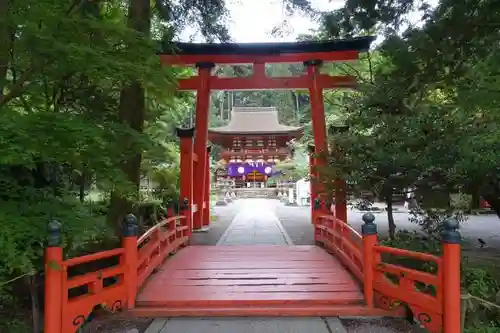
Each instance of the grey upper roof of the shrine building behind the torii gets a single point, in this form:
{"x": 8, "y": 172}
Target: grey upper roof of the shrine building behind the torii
{"x": 255, "y": 121}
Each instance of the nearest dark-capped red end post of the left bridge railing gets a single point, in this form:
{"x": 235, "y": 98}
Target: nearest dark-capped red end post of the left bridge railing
{"x": 53, "y": 280}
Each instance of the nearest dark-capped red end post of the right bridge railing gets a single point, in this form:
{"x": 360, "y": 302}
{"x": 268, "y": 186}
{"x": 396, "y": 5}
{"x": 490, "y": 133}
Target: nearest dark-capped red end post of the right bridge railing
{"x": 451, "y": 239}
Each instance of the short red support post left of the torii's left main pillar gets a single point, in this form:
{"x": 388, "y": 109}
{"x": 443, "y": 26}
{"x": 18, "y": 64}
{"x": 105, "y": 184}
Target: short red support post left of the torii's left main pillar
{"x": 186, "y": 174}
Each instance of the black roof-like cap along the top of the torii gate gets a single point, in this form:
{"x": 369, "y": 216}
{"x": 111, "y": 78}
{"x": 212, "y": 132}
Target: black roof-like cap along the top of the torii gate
{"x": 359, "y": 44}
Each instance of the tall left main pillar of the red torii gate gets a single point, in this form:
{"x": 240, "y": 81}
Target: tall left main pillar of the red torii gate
{"x": 200, "y": 143}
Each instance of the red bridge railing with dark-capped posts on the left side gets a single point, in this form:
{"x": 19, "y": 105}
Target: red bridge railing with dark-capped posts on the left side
{"x": 75, "y": 287}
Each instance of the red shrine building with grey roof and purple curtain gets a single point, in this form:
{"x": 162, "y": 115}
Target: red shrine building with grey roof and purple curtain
{"x": 253, "y": 141}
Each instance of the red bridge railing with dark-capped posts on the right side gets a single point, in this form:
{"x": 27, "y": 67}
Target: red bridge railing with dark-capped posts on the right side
{"x": 433, "y": 298}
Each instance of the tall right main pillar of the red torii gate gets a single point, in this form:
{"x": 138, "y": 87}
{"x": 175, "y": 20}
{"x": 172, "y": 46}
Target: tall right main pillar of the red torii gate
{"x": 319, "y": 130}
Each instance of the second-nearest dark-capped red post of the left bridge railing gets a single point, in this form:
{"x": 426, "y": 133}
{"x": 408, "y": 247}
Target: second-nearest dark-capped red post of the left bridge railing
{"x": 130, "y": 260}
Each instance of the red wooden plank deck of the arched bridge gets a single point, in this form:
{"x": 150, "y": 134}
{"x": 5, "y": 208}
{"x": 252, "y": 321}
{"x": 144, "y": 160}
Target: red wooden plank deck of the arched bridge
{"x": 250, "y": 280}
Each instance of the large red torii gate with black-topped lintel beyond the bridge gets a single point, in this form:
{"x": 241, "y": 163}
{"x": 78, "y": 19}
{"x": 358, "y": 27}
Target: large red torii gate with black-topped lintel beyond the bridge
{"x": 195, "y": 181}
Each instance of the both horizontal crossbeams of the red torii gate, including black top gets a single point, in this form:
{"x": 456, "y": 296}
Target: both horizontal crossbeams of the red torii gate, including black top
{"x": 258, "y": 54}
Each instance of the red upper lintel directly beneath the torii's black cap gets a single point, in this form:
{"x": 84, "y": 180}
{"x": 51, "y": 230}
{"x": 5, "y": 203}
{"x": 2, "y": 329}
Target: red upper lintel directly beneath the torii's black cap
{"x": 250, "y": 59}
